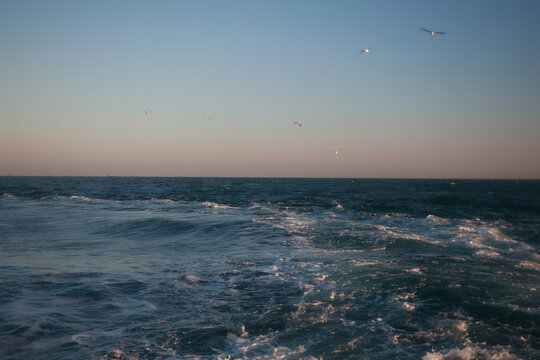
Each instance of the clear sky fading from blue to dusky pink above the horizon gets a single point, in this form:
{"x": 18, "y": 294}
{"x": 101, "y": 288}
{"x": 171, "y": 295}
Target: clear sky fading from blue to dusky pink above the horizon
{"x": 76, "y": 75}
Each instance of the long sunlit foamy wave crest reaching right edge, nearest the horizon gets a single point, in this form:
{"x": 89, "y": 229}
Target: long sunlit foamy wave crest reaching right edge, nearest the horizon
{"x": 348, "y": 230}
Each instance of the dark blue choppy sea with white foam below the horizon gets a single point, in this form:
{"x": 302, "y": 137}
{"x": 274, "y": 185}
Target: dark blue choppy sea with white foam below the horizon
{"x": 200, "y": 268}
